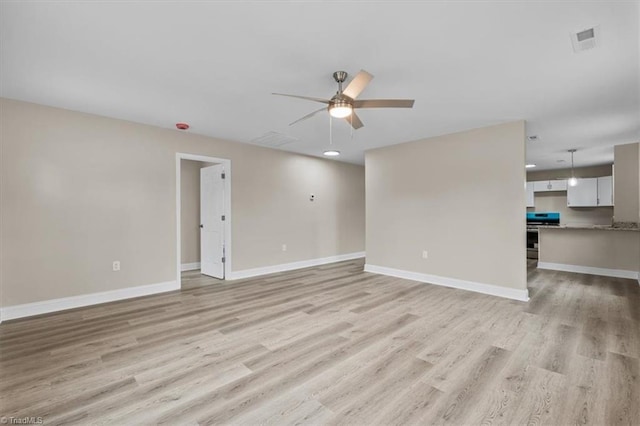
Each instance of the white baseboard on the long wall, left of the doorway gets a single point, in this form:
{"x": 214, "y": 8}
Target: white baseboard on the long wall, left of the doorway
{"x": 55, "y": 305}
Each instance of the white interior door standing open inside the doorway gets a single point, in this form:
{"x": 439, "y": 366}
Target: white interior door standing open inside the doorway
{"x": 212, "y": 221}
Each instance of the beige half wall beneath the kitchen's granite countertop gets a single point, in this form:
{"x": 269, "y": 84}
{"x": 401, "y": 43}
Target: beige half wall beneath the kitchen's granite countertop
{"x": 591, "y": 248}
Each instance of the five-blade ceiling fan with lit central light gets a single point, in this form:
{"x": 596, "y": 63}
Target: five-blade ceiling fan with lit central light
{"x": 344, "y": 102}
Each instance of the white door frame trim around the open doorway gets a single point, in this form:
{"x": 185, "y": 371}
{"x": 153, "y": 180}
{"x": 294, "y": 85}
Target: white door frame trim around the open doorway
{"x": 226, "y": 164}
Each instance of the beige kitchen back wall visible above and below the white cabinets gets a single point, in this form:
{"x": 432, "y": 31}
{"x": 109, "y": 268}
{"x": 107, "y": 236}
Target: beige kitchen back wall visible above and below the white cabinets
{"x": 556, "y": 201}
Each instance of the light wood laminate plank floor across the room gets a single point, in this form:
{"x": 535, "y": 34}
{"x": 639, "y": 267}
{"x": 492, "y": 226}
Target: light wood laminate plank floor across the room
{"x": 334, "y": 345}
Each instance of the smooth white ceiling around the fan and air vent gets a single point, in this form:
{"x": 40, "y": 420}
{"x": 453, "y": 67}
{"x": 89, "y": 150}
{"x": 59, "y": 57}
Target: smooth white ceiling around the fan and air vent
{"x": 215, "y": 65}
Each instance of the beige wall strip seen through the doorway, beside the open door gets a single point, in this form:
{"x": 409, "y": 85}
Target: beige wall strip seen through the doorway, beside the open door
{"x": 190, "y": 210}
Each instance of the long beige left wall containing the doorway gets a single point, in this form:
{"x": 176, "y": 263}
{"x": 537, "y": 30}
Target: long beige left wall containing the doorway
{"x": 79, "y": 191}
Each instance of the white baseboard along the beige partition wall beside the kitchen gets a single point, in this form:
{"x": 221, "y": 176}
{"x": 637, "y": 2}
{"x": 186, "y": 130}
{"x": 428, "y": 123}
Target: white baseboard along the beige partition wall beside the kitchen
{"x": 493, "y": 290}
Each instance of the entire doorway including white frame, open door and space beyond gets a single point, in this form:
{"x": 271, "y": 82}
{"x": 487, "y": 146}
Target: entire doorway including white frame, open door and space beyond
{"x": 203, "y": 219}
